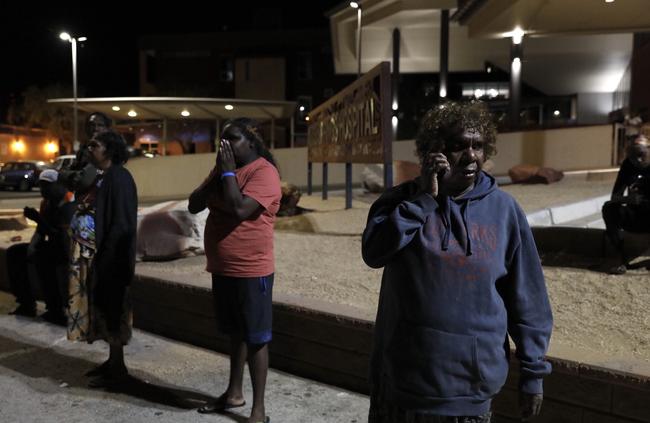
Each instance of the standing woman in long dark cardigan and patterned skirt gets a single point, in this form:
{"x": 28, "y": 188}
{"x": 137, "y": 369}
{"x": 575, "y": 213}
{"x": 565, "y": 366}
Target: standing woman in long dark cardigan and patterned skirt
{"x": 103, "y": 233}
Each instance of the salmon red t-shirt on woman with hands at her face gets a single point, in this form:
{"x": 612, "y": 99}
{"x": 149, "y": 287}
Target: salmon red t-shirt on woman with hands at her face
{"x": 244, "y": 249}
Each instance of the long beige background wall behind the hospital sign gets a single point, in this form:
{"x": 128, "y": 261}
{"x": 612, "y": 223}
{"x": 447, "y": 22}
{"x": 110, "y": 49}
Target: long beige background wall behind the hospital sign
{"x": 578, "y": 148}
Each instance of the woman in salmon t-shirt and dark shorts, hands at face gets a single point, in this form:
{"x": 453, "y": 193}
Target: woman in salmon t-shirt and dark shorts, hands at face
{"x": 243, "y": 195}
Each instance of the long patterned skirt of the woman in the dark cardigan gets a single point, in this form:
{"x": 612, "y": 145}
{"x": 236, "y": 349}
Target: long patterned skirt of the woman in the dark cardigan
{"x": 86, "y": 321}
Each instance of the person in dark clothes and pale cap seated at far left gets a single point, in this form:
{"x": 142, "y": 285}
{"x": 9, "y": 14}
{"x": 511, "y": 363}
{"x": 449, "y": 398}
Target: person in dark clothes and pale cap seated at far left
{"x": 42, "y": 264}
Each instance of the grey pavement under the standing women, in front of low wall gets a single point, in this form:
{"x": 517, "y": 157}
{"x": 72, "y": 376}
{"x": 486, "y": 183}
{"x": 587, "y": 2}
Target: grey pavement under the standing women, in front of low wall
{"x": 41, "y": 380}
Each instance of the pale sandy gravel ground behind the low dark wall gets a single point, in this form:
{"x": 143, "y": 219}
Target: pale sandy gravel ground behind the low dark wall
{"x": 318, "y": 255}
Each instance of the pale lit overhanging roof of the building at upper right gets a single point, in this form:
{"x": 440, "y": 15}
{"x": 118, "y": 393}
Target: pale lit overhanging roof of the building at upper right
{"x": 570, "y": 46}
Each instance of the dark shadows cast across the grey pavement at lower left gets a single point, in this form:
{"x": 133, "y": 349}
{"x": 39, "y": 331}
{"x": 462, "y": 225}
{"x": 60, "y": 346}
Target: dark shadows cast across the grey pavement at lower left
{"x": 37, "y": 362}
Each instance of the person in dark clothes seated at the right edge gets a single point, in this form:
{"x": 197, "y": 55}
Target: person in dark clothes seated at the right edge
{"x": 629, "y": 208}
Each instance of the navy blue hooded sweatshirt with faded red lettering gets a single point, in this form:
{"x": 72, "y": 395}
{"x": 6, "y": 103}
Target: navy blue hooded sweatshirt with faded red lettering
{"x": 459, "y": 276}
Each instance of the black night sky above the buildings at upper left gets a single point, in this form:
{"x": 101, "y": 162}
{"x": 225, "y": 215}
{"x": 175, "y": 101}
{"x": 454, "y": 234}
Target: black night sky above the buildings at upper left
{"x": 33, "y": 54}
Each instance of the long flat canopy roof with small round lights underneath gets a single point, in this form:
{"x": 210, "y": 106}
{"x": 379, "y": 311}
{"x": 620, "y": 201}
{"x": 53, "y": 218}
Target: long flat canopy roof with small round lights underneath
{"x": 152, "y": 108}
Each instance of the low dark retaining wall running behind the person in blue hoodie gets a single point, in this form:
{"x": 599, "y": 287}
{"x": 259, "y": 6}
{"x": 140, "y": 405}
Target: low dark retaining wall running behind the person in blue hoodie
{"x": 329, "y": 344}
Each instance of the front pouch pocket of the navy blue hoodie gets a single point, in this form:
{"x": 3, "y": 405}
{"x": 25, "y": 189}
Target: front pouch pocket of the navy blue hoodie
{"x": 434, "y": 364}
